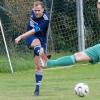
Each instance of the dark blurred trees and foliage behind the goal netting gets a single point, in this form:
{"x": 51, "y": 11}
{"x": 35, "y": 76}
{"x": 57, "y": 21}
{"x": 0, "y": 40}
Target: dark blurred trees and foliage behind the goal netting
{"x": 15, "y": 14}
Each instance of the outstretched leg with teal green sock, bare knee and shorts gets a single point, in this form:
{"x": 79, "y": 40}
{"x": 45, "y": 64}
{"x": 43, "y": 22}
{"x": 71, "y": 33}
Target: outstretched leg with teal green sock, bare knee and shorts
{"x": 91, "y": 54}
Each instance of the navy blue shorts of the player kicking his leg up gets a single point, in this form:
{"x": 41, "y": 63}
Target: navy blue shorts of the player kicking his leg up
{"x": 30, "y": 39}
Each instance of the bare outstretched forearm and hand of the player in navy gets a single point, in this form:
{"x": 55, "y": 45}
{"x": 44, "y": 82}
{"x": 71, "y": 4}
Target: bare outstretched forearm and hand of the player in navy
{"x": 23, "y": 36}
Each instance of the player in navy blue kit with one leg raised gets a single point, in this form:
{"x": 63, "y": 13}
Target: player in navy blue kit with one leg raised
{"x": 35, "y": 38}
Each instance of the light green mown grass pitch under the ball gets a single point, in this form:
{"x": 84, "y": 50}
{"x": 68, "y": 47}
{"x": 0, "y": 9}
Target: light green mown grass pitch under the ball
{"x": 58, "y": 83}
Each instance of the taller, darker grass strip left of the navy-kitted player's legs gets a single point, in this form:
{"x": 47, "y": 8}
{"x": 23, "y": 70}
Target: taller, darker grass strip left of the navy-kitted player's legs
{"x": 19, "y": 62}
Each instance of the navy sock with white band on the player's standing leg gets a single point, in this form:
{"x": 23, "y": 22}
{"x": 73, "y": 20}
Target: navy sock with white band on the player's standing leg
{"x": 38, "y": 77}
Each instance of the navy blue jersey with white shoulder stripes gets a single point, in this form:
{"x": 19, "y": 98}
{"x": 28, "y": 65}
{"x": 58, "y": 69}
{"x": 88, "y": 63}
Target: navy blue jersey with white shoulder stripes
{"x": 42, "y": 23}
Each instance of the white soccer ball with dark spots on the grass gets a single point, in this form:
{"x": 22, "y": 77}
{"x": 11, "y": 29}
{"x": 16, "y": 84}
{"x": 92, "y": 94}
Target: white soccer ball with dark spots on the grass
{"x": 81, "y": 89}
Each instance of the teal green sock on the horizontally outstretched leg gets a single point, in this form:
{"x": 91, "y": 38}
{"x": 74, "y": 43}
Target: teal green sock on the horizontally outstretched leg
{"x": 62, "y": 61}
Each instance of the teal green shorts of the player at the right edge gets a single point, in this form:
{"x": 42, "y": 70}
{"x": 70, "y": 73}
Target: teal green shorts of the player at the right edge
{"x": 93, "y": 53}
